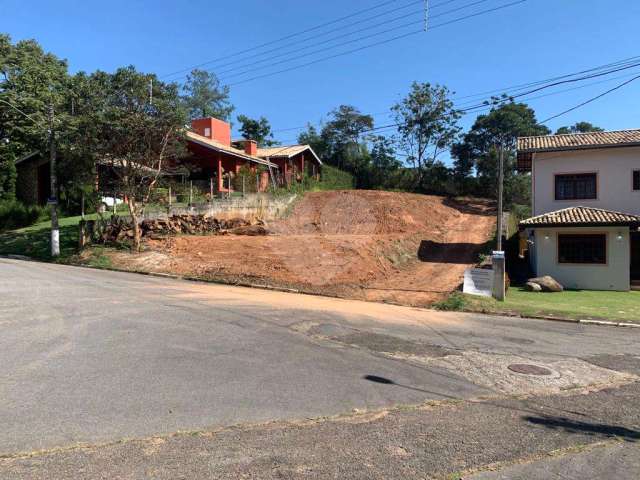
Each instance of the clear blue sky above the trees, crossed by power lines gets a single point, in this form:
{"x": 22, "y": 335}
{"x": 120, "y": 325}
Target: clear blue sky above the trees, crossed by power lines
{"x": 526, "y": 42}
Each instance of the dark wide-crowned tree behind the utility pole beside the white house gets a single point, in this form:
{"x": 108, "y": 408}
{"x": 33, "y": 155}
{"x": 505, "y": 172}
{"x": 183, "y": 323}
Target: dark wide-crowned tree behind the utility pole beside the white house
{"x": 502, "y": 126}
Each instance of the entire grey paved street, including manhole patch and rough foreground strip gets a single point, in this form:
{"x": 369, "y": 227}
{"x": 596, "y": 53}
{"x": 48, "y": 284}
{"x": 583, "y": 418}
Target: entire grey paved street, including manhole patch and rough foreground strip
{"x": 93, "y": 357}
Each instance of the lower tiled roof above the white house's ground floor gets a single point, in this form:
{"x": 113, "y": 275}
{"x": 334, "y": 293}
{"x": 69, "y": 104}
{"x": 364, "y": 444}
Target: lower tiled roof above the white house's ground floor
{"x": 576, "y": 216}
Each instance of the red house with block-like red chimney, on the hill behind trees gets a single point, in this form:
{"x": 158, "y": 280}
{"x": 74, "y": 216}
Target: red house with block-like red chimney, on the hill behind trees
{"x": 216, "y": 157}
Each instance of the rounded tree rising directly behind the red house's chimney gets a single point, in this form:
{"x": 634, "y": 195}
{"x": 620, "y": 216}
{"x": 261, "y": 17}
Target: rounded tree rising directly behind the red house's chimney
{"x": 205, "y": 96}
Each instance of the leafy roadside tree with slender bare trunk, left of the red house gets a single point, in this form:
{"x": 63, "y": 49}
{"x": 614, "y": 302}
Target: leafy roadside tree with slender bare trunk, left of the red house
{"x": 134, "y": 137}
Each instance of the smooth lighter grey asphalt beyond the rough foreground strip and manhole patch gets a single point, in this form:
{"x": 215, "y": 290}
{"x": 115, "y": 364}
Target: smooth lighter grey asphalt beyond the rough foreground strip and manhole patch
{"x": 93, "y": 356}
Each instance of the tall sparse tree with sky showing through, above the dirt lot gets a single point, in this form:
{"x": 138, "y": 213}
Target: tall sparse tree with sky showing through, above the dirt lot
{"x": 427, "y": 126}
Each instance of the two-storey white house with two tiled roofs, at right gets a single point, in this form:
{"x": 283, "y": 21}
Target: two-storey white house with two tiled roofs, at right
{"x": 585, "y": 231}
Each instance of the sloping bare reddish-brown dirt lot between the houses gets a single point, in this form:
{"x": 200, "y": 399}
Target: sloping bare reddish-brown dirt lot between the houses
{"x": 383, "y": 246}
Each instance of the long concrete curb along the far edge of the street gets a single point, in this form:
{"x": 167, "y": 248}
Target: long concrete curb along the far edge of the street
{"x": 302, "y": 292}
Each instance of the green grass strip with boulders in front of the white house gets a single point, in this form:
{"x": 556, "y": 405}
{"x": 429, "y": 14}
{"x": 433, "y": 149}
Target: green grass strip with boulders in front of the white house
{"x": 573, "y": 304}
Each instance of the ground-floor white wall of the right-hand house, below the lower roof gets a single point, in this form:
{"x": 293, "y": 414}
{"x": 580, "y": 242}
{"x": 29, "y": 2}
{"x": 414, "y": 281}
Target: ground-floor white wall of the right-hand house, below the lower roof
{"x": 615, "y": 275}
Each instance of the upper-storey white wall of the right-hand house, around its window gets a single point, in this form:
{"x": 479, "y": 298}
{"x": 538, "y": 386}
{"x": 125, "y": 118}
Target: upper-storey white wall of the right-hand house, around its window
{"x": 614, "y": 167}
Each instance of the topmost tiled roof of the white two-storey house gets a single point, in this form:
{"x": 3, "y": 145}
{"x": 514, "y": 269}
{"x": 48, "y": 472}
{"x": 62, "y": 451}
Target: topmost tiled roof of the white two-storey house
{"x": 579, "y": 141}
